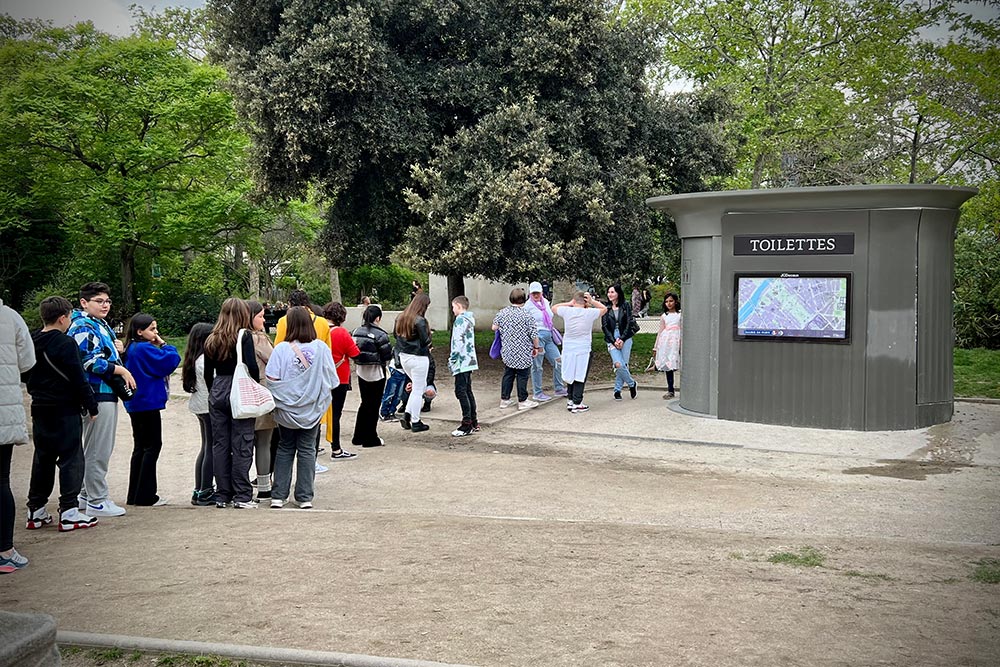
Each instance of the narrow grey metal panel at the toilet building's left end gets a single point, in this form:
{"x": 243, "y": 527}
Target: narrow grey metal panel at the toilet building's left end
{"x": 698, "y": 360}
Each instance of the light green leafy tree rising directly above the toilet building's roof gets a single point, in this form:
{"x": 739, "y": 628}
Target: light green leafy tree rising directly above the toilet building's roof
{"x": 798, "y": 72}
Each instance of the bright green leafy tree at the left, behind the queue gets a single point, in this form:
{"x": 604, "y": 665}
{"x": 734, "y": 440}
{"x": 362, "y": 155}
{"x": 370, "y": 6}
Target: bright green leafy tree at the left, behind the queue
{"x": 130, "y": 144}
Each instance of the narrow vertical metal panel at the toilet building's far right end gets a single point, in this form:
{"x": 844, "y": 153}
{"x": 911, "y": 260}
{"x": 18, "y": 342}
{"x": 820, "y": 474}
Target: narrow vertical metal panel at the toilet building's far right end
{"x": 935, "y": 328}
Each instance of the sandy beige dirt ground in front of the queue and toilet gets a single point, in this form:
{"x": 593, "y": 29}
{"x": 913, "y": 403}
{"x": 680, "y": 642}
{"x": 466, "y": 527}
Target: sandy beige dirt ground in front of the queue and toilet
{"x": 630, "y": 535}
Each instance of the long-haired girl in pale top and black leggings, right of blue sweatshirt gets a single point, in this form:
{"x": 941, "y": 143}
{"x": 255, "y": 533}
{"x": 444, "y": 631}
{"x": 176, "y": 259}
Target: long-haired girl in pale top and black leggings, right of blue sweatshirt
{"x": 193, "y": 381}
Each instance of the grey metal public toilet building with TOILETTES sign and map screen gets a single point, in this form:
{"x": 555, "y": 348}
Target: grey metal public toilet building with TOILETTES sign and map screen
{"x": 825, "y": 307}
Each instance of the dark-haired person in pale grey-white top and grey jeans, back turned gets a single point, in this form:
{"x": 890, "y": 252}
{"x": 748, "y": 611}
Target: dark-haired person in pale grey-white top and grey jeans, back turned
{"x": 301, "y": 376}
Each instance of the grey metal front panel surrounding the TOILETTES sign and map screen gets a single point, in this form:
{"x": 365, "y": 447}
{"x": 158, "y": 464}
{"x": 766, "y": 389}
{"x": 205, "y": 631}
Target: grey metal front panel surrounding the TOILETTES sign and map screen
{"x": 819, "y": 384}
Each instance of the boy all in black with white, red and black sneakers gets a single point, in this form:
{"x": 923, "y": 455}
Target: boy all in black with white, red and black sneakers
{"x": 60, "y": 392}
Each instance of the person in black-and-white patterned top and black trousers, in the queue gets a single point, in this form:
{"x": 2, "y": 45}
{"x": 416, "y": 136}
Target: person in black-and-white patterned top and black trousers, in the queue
{"x": 519, "y": 347}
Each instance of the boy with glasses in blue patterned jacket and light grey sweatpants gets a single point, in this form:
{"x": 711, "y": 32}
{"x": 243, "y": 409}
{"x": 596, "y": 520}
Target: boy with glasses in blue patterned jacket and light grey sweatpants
{"x": 101, "y": 352}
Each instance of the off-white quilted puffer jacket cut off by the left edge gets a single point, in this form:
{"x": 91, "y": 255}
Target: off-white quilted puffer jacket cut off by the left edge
{"x": 17, "y": 355}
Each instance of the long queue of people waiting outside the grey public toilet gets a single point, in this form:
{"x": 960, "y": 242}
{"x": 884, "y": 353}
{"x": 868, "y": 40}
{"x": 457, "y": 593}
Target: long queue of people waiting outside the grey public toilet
{"x": 77, "y": 370}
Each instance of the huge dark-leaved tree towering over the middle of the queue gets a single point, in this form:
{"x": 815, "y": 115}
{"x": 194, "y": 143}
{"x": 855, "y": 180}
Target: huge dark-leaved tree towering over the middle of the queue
{"x": 373, "y": 99}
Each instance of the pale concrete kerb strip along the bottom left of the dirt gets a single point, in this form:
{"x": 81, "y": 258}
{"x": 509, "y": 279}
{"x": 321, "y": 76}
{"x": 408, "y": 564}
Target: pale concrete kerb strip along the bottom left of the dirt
{"x": 240, "y": 652}
